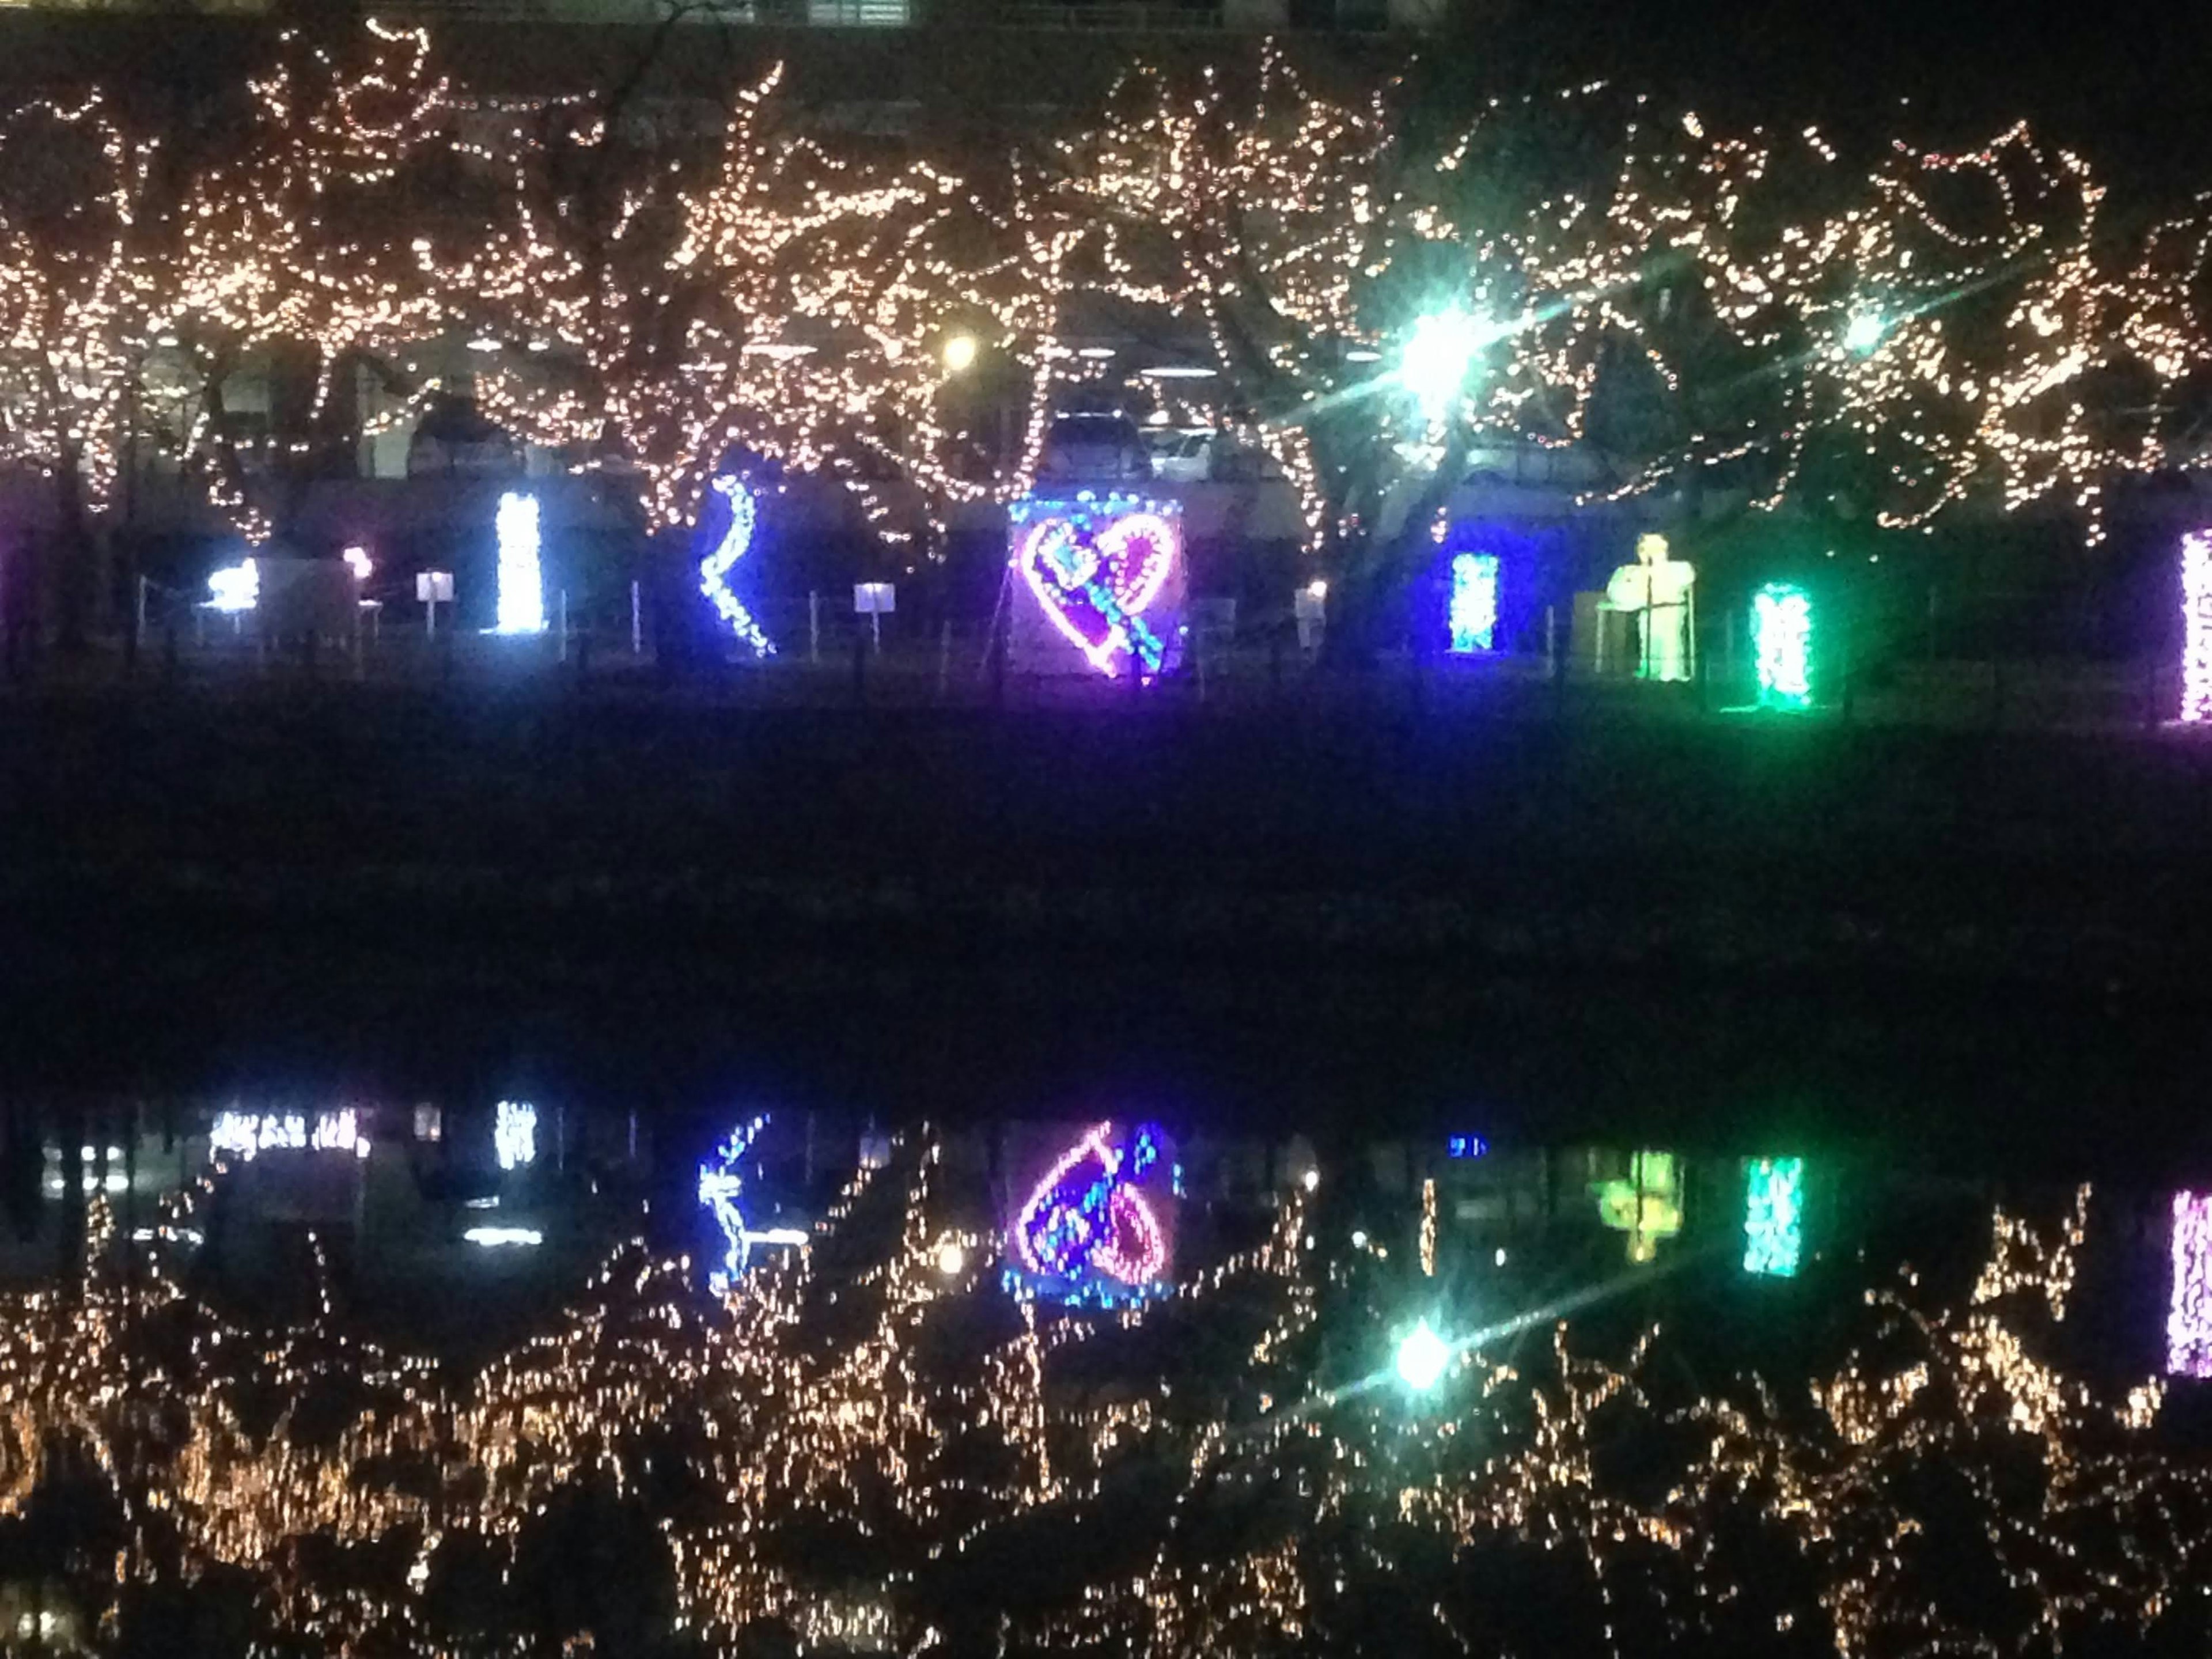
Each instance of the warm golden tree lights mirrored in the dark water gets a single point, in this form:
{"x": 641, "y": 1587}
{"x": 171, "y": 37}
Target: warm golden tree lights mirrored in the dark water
{"x": 826, "y": 1401}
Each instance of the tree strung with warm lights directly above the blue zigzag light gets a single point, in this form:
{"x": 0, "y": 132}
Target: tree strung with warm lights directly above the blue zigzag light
{"x": 665, "y": 309}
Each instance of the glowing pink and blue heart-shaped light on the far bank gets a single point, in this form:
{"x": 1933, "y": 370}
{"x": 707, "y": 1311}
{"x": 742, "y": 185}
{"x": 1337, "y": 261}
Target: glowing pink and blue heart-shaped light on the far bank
{"x": 1096, "y": 583}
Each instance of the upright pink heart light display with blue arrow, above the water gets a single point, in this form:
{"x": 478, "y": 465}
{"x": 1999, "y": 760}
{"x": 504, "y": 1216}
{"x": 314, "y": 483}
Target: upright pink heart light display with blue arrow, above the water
{"x": 1096, "y": 565}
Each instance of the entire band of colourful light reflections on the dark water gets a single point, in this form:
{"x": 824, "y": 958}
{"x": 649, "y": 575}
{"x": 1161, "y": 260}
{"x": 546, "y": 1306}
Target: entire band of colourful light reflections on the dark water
{"x": 1096, "y": 1386}
